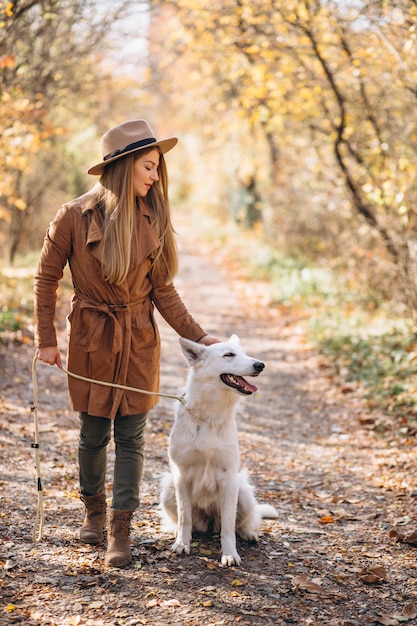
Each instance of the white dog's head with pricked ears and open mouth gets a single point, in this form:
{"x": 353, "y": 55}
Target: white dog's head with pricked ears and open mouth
{"x": 225, "y": 360}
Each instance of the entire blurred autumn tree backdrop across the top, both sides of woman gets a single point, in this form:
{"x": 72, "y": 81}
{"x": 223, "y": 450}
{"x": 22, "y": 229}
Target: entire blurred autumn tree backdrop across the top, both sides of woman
{"x": 297, "y": 119}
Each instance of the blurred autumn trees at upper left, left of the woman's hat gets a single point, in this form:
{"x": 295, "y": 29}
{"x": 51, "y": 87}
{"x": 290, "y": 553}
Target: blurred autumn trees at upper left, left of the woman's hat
{"x": 55, "y": 90}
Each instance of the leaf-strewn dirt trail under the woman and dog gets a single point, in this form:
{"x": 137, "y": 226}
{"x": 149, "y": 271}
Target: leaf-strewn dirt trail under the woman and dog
{"x": 339, "y": 489}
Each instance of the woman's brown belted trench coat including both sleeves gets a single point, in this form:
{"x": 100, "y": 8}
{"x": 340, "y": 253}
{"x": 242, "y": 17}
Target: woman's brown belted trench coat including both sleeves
{"x": 112, "y": 332}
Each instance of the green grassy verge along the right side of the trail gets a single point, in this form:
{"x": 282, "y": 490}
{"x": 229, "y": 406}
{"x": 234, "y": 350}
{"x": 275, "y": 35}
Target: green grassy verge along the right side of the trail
{"x": 365, "y": 343}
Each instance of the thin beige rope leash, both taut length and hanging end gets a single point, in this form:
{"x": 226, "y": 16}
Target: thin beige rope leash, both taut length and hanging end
{"x": 40, "y": 518}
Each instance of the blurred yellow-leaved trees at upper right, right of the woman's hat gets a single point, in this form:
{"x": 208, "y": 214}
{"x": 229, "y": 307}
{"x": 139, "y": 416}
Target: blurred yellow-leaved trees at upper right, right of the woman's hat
{"x": 305, "y": 110}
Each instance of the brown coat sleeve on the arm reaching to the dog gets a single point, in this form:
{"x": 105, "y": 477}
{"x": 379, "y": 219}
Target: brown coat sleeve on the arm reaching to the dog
{"x": 168, "y": 302}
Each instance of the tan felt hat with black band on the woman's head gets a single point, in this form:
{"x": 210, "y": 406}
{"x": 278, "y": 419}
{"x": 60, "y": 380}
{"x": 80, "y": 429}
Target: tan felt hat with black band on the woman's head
{"x": 126, "y": 138}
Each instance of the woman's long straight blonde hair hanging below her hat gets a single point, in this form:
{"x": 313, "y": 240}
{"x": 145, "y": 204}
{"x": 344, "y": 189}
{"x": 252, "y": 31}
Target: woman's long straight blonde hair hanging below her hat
{"x": 116, "y": 197}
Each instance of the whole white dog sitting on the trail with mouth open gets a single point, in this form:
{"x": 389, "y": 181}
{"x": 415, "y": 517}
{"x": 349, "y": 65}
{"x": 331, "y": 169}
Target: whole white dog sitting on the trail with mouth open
{"x": 205, "y": 490}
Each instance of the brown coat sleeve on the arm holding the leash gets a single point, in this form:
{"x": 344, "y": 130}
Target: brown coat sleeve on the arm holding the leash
{"x": 55, "y": 252}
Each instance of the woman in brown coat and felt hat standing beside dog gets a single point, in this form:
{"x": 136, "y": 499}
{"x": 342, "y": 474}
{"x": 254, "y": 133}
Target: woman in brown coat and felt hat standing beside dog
{"x": 119, "y": 242}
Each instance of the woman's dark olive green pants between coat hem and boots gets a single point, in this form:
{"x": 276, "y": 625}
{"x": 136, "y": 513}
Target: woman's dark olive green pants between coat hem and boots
{"x": 95, "y": 434}
